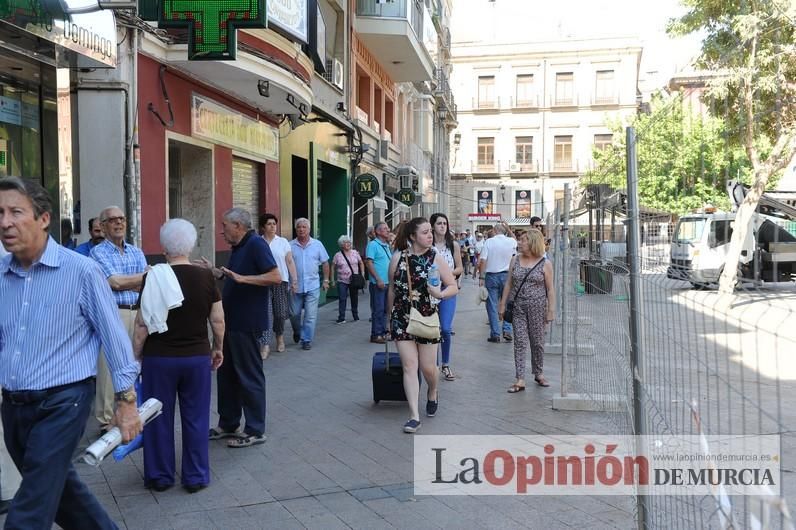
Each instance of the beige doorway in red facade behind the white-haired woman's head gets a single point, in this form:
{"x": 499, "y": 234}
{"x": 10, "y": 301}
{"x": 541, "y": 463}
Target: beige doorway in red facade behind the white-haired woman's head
{"x": 191, "y": 193}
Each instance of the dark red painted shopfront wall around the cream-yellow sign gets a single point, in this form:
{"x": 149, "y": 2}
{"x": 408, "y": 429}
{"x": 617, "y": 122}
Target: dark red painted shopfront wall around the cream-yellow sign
{"x": 152, "y": 142}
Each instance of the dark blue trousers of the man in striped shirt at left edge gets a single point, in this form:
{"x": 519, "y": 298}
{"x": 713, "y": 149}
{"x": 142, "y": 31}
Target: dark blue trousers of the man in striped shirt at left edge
{"x": 41, "y": 436}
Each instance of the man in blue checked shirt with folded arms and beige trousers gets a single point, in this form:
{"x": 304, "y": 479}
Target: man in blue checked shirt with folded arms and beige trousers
{"x": 124, "y": 265}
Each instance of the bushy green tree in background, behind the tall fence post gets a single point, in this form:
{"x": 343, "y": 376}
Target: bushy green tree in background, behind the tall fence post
{"x": 684, "y": 159}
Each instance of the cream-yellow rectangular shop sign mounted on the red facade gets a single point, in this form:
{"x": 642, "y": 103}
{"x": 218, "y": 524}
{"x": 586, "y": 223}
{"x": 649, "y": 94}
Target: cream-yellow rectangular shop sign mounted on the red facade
{"x": 221, "y": 125}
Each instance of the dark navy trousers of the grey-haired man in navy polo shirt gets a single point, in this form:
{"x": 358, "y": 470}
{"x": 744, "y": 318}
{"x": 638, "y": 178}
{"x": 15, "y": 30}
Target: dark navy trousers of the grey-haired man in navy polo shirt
{"x": 241, "y": 383}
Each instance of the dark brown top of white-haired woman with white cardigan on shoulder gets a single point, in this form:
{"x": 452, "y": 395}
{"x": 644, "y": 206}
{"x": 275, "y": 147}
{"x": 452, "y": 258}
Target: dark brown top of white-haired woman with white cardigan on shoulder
{"x": 187, "y": 333}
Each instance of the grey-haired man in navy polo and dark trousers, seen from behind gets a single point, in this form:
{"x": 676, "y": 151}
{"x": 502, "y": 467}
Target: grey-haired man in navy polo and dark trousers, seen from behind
{"x": 241, "y": 380}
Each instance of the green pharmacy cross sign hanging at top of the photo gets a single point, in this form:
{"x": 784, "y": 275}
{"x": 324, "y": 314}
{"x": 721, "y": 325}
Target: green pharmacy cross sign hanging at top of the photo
{"x": 212, "y": 24}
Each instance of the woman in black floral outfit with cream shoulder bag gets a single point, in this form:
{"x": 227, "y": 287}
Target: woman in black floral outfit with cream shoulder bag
{"x": 409, "y": 288}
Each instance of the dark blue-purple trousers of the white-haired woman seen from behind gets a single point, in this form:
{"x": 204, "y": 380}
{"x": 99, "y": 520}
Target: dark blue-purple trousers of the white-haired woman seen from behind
{"x": 166, "y": 379}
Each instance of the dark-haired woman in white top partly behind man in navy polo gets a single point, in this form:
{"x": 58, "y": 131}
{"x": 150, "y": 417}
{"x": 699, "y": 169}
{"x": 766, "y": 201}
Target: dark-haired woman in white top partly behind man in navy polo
{"x": 279, "y": 295}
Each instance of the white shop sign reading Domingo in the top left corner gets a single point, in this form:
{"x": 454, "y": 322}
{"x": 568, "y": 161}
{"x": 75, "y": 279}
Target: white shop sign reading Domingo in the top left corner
{"x": 91, "y": 35}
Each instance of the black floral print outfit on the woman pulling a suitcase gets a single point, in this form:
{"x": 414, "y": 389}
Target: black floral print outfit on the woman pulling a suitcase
{"x": 421, "y": 300}
